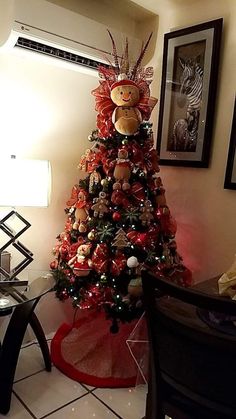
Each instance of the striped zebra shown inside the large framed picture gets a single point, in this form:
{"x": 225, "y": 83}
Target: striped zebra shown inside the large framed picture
{"x": 185, "y": 131}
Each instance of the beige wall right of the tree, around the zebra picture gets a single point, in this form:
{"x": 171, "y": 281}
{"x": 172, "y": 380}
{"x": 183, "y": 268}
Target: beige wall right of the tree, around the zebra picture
{"x": 204, "y": 210}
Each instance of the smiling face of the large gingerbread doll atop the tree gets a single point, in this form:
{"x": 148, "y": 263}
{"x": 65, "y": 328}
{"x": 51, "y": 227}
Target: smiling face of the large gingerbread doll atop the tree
{"x": 127, "y": 95}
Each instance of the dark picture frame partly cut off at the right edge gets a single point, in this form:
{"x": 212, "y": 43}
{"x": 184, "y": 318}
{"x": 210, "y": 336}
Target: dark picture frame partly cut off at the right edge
{"x": 230, "y": 173}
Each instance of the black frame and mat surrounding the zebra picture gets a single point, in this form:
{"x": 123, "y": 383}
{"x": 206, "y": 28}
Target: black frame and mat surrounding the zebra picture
{"x": 206, "y": 37}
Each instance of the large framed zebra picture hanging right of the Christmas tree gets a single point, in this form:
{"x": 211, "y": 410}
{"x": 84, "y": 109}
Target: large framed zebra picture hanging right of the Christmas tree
{"x": 188, "y": 93}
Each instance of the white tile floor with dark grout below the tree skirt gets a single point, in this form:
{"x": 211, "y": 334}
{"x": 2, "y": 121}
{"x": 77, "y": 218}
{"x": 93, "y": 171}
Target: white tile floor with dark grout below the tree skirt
{"x": 40, "y": 394}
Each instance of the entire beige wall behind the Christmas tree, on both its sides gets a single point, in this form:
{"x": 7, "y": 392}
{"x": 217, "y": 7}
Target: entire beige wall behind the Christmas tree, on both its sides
{"x": 47, "y": 112}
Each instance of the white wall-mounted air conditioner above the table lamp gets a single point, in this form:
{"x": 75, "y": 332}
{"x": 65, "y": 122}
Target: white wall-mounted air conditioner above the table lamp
{"x": 45, "y": 28}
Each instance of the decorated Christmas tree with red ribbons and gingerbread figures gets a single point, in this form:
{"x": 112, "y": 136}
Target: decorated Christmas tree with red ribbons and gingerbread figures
{"x": 118, "y": 221}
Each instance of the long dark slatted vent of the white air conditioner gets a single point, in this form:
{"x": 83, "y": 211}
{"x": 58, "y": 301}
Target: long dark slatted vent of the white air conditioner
{"x": 56, "y": 53}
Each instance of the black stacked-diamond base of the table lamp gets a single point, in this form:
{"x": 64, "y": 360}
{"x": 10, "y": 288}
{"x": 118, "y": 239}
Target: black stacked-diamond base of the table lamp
{"x": 16, "y": 244}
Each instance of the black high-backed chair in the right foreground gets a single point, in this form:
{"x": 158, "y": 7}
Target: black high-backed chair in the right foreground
{"x": 192, "y": 366}
